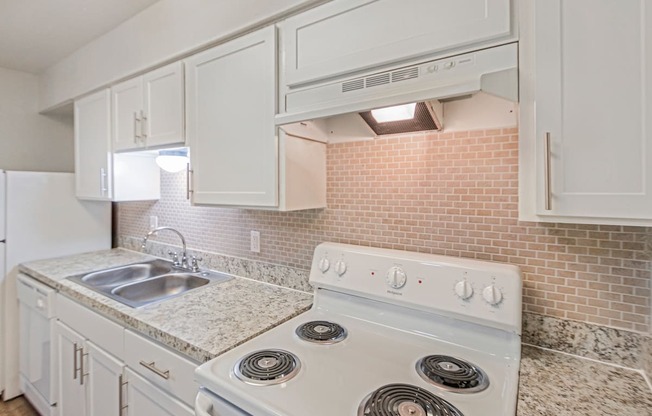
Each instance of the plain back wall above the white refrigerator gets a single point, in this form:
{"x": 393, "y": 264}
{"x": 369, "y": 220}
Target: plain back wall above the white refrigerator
{"x": 29, "y": 141}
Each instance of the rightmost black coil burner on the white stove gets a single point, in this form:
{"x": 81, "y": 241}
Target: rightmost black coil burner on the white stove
{"x": 452, "y": 374}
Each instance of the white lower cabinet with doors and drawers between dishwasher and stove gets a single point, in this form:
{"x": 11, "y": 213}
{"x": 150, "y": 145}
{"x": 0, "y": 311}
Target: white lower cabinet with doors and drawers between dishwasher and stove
{"x": 105, "y": 370}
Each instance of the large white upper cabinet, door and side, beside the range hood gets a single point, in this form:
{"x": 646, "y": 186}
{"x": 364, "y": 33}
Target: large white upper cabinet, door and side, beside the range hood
{"x": 238, "y": 156}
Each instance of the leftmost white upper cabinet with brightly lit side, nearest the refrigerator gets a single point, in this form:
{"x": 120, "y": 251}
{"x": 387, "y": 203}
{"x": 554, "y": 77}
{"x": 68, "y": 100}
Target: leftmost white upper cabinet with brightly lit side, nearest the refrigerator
{"x": 100, "y": 174}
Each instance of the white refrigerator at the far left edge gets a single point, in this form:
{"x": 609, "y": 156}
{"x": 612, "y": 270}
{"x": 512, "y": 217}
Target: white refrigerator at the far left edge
{"x": 40, "y": 218}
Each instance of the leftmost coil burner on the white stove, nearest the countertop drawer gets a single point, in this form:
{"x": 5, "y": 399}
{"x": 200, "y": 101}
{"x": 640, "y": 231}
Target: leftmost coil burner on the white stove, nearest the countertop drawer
{"x": 266, "y": 367}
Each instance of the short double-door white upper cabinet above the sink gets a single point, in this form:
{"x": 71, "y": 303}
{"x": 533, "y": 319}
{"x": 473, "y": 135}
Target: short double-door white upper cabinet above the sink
{"x": 148, "y": 111}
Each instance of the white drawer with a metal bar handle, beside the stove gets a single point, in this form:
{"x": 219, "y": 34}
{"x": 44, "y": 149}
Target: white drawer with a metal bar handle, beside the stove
{"x": 163, "y": 367}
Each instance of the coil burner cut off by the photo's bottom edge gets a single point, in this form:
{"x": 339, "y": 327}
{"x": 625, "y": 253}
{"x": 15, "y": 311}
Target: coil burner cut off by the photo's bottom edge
{"x": 405, "y": 400}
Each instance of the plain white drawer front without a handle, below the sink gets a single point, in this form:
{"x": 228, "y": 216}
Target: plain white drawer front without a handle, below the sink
{"x": 100, "y": 330}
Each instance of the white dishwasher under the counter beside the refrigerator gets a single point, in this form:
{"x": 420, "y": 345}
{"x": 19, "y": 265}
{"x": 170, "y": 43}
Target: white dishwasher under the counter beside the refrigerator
{"x": 37, "y": 316}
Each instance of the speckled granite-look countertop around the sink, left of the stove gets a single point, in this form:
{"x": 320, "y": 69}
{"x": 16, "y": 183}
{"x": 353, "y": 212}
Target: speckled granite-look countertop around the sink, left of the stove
{"x": 201, "y": 324}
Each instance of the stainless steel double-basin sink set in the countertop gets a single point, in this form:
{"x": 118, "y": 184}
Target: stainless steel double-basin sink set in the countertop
{"x": 140, "y": 284}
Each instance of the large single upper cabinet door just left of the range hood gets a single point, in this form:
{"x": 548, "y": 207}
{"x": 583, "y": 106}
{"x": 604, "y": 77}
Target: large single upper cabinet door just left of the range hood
{"x": 231, "y": 107}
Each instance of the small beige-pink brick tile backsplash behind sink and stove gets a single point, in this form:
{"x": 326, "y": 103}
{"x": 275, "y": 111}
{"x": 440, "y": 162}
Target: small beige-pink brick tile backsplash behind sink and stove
{"x": 445, "y": 193}
